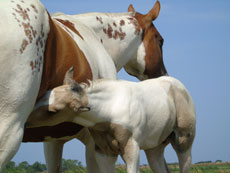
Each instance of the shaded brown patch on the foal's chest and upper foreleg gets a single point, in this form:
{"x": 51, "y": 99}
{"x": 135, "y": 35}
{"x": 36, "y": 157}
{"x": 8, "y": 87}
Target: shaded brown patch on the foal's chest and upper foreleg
{"x": 110, "y": 138}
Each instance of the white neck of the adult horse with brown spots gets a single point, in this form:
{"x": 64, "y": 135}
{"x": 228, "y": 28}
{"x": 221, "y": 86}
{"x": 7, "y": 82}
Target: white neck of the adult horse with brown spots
{"x": 117, "y": 32}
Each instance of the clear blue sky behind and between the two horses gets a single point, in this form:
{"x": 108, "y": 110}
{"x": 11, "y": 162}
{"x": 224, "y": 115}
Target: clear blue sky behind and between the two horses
{"x": 196, "y": 51}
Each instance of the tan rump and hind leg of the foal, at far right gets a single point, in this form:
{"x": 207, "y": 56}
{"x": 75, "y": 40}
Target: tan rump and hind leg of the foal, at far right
{"x": 183, "y": 134}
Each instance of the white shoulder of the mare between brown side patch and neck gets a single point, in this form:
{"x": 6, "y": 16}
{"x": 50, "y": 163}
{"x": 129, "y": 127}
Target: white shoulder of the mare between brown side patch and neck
{"x": 100, "y": 61}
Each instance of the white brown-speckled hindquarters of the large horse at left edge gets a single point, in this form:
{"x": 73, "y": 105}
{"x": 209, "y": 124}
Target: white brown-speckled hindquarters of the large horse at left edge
{"x": 24, "y": 29}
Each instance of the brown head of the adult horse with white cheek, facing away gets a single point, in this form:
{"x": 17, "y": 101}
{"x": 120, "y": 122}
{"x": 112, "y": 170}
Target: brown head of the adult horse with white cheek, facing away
{"x": 149, "y": 61}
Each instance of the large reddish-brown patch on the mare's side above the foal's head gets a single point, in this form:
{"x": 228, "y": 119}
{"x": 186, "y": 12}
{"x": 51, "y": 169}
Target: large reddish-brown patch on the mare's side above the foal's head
{"x": 61, "y": 53}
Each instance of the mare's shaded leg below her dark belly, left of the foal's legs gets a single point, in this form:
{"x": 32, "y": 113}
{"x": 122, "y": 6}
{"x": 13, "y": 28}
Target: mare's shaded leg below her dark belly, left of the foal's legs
{"x": 53, "y": 155}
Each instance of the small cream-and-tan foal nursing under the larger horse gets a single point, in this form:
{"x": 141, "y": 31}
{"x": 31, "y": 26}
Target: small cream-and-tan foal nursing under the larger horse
{"x": 124, "y": 117}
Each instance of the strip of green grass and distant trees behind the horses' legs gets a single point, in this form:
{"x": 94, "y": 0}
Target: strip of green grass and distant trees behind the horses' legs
{"x": 73, "y": 166}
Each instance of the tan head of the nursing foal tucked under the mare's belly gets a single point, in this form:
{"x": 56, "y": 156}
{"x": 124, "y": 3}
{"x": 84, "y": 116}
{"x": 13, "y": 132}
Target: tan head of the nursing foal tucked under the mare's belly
{"x": 57, "y": 105}
